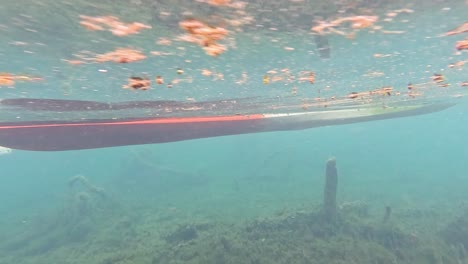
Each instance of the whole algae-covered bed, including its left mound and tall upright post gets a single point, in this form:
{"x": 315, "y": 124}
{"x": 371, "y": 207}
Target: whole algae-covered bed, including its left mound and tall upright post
{"x": 93, "y": 228}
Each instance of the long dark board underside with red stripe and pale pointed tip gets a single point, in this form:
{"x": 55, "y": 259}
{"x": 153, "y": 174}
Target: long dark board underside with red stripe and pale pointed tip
{"x": 89, "y": 134}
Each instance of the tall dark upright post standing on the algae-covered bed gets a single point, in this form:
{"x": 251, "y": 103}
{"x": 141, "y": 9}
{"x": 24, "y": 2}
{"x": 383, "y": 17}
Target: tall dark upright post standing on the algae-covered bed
{"x": 329, "y": 194}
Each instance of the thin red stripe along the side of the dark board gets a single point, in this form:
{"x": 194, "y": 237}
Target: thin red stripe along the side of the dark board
{"x": 177, "y": 120}
